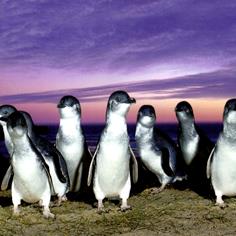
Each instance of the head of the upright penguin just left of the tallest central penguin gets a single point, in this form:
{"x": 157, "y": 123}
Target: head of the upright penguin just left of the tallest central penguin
{"x": 69, "y": 107}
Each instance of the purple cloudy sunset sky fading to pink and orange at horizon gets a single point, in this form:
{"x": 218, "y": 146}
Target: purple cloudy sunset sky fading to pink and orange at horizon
{"x": 161, "y": 52}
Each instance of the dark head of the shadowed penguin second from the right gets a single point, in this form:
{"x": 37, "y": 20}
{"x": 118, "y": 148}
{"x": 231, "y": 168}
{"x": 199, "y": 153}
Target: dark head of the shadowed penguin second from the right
{"x": 184, "y": 111}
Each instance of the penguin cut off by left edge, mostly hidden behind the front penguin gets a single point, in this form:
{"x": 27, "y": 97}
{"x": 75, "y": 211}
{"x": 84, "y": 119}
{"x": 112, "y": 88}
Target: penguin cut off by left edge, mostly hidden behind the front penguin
{"x": 5, "y": 111}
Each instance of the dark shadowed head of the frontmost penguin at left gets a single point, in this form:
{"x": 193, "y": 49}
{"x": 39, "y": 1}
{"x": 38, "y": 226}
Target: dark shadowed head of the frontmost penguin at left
{"x": 16, "y": 125}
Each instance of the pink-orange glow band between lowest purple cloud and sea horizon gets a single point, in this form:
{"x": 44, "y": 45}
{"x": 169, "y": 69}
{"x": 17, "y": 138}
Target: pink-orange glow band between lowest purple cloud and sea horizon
{"x": 208, "y": 111}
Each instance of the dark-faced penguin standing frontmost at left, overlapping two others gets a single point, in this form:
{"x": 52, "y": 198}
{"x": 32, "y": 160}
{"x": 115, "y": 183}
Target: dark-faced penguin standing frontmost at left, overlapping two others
{"x": 31, "y": 180}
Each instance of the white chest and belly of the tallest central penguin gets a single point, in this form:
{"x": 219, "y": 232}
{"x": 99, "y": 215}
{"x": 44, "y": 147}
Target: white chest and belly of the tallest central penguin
{"x": 113, "y": 157}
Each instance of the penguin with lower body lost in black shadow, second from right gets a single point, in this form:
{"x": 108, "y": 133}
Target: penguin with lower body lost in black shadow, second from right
{"x": 195, "y": 148}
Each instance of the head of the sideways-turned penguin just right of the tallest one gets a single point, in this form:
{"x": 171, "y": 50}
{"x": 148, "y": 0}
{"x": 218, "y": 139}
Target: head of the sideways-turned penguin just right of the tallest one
{"x": 146, "y": 116}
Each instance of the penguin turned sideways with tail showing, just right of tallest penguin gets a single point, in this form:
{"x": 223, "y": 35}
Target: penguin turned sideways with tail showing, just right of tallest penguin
{"x": 156, "y": 150}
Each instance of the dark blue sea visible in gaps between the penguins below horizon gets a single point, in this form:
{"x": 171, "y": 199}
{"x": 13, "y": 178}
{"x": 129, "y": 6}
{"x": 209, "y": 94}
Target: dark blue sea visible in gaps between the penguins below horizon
{"x": 93, "y": 132}
